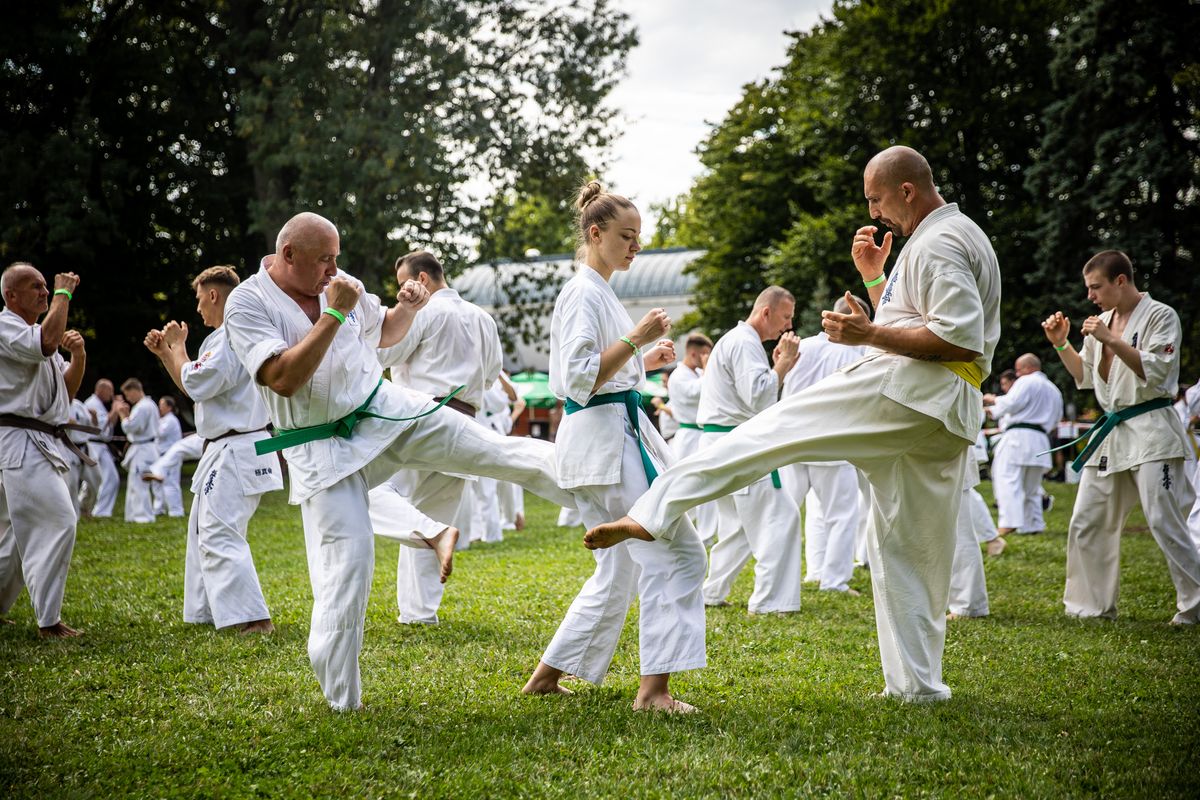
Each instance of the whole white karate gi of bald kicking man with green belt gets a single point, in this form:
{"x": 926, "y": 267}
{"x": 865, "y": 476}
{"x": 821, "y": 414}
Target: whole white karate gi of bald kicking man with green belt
{"x": 331, "y": 478}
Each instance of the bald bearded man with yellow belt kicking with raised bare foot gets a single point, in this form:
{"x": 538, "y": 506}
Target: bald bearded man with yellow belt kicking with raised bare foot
{"x": 905, "y": 414}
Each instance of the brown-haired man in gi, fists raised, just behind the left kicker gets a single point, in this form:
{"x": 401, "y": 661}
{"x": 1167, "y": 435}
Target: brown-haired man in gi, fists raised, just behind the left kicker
{"x": 220, "y": 582}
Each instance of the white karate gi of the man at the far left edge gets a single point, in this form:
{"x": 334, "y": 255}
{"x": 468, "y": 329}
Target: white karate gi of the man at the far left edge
{"x": 38, "y": 518}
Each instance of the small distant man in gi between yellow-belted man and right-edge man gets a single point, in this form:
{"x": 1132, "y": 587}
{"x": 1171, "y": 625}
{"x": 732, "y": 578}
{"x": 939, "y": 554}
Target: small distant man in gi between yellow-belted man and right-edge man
{"x": 1028, "y": 413}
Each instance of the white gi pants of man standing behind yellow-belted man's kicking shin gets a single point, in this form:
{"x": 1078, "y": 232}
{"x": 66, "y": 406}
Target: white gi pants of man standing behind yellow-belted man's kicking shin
{"x": 764, "y": 522}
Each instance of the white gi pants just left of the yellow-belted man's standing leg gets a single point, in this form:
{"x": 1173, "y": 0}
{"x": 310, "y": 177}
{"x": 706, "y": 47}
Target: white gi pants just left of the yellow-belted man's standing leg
{"x": 831, "y": 524}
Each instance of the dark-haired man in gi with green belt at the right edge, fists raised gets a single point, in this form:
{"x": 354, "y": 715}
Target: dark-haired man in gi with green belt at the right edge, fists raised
{"x": 1136, "y": 453}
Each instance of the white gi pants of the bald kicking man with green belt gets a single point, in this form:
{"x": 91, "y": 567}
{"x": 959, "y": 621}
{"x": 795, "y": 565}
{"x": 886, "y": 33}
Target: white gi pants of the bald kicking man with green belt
{"x": 340, "y": 539}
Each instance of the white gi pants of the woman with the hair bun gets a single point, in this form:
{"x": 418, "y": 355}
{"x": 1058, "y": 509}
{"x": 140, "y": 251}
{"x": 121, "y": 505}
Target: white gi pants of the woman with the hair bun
{"x": 664, "y": 575}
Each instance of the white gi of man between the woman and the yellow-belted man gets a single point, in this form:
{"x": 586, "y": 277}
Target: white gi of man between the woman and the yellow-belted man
{"x": 759, "y": 520}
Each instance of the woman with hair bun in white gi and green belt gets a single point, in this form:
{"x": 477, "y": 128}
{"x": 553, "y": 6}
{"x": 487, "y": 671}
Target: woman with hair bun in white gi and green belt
{"x": 608, "y": 453}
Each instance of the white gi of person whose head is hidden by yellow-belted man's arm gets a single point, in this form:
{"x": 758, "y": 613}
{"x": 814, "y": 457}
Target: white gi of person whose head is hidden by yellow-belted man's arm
{"x": 832, "y": 524}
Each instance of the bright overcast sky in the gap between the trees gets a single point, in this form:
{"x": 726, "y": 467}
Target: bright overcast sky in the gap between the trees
{"x": 688, "y": 70}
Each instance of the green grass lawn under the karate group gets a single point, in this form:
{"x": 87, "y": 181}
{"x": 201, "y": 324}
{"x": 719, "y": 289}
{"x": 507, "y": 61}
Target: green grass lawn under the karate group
{"x": 146, "y": 706}
